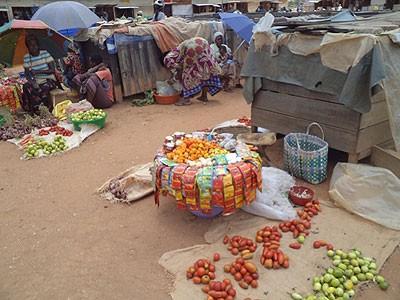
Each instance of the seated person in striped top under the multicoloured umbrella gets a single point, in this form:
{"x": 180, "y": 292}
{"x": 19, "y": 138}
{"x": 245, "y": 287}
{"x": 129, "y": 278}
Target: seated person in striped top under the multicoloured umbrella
{"x": 40, "y": 74}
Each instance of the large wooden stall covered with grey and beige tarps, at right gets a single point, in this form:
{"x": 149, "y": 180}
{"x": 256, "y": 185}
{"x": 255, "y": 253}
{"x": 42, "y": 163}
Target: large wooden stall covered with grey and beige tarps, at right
{"x": 341, "y": 75}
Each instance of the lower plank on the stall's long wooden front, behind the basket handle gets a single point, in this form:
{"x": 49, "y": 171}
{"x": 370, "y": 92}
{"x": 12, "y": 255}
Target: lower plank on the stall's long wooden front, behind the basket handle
{"x": 337, "y": 138}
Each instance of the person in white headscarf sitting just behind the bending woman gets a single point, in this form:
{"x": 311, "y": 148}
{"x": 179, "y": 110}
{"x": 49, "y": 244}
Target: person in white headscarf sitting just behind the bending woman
{"x": 228, "y": 66}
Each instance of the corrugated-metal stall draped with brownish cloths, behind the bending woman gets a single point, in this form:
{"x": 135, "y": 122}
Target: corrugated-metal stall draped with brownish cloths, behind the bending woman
{"x": 135, "y": 56}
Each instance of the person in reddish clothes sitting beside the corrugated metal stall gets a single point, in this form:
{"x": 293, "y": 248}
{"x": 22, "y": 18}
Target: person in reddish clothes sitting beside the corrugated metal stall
{"x": 96, "y": 84}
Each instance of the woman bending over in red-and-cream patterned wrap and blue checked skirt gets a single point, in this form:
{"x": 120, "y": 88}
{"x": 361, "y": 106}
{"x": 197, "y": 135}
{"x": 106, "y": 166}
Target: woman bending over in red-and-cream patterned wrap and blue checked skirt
{"x": 193, "y": 65}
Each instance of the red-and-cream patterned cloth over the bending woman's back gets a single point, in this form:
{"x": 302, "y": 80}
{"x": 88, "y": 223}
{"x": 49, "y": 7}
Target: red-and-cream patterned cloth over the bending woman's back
{"x": 196, "y": 61}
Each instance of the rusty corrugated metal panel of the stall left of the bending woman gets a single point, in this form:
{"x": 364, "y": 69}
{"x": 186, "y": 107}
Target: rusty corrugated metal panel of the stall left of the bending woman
{"x": 139, "y": 63}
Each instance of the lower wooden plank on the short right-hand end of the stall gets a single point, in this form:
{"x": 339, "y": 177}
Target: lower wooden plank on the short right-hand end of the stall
{"x": 373, "y": 135}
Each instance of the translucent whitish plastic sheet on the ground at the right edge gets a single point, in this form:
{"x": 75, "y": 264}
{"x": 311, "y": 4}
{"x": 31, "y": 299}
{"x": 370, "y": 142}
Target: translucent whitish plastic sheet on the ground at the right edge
{"x": 370, "y": 192}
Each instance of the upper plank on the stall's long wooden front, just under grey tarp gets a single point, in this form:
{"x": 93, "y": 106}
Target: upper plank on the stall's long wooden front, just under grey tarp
{"x": 332, "y": 114}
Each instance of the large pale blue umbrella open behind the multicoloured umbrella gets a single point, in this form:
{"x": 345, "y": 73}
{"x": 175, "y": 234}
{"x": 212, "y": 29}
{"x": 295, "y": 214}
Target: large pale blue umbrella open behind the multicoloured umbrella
{"x": 66, "y": 15}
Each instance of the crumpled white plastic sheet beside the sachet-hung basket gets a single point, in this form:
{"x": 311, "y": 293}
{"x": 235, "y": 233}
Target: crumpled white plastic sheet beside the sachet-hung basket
{"x": 272, "y": 202}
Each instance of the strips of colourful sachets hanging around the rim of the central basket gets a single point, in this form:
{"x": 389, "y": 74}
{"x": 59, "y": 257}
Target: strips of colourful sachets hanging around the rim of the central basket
{"x": 229, "y": 186}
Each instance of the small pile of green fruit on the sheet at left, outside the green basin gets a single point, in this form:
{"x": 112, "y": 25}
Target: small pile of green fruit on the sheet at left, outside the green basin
{"x": 34, "y": 148}
